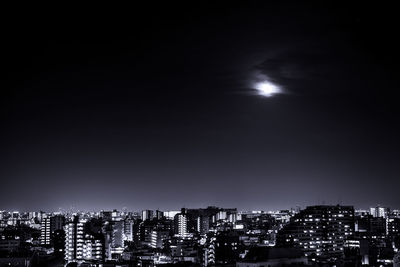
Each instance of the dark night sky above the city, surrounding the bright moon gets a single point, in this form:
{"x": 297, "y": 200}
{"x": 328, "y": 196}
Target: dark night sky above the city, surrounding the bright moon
{"x": 155, "y": 107}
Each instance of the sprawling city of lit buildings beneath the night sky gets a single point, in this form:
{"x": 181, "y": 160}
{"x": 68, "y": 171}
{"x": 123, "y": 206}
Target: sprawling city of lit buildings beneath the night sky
{"x": 208, "y": 236}
